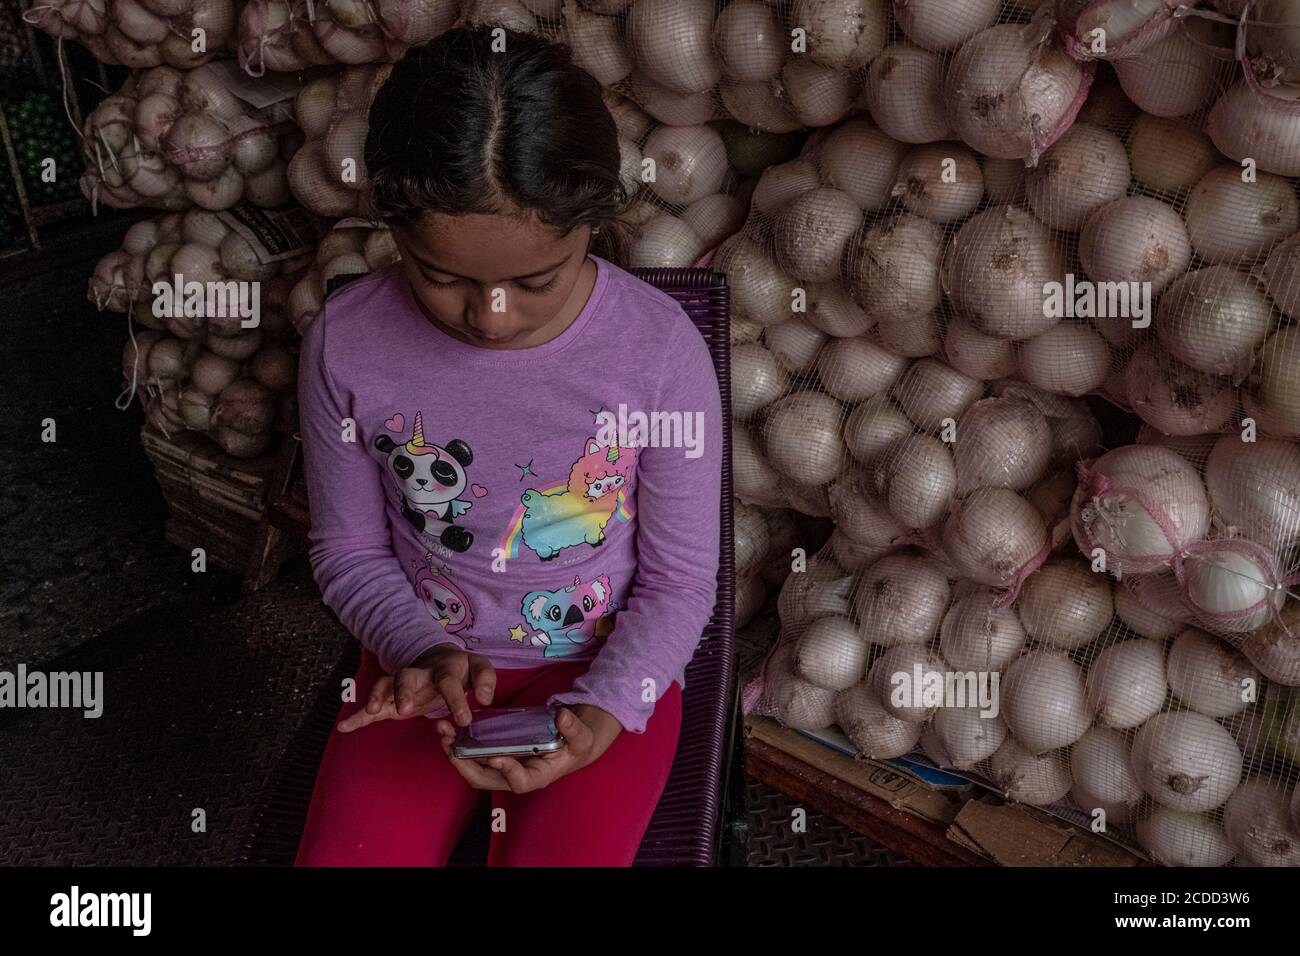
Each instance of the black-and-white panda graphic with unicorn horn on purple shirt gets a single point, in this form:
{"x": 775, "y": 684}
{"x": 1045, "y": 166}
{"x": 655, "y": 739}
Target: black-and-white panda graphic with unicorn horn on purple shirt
{"x": 431, "y": 479}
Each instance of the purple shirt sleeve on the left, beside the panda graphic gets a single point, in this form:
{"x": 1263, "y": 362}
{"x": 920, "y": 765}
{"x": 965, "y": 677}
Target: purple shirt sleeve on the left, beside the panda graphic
{"x": 350, "y": 540}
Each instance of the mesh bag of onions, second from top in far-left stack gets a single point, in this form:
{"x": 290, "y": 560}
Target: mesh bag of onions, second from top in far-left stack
{"x": 174, "y": 140}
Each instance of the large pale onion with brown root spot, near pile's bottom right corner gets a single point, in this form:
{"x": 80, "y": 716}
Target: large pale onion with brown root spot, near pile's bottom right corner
{"x": 1186, "y": 762}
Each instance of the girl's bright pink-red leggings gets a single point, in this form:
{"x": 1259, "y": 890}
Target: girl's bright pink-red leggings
{"x": 387, "y": 795}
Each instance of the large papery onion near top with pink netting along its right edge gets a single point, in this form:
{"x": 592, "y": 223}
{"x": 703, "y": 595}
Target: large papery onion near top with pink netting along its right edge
{"x": 1011, "y": 88}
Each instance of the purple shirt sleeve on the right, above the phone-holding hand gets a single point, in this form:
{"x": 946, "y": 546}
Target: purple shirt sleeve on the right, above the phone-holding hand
{"x": 674, "y": 591}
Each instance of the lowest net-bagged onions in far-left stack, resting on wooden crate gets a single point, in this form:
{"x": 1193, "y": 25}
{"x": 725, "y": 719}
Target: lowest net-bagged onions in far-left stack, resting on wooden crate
{"x": 207, "y": 373}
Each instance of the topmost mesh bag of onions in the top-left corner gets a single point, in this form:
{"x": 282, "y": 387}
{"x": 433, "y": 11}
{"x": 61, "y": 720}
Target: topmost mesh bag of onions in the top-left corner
{"x": 141, "y": 33}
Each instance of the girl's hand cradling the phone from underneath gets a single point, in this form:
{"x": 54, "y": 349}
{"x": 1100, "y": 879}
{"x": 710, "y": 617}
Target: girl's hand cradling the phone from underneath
{"x": 588, "y": 733}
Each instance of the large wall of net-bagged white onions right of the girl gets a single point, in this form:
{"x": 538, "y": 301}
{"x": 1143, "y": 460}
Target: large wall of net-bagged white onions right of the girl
{"x": 1021, "y": 321}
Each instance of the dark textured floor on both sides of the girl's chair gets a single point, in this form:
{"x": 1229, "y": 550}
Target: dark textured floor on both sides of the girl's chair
{"x": 205, "y": 687}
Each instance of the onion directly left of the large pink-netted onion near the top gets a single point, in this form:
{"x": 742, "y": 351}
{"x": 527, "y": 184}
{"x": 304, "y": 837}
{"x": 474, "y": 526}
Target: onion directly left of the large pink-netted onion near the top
{"x": 905, "y": 94}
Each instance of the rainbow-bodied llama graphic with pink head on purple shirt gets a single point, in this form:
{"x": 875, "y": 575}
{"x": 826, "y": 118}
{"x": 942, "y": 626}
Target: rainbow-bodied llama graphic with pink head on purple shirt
{"x": 552, "y": 520}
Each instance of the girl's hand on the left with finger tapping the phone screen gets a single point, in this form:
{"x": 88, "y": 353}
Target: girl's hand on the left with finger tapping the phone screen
{"x": 437, "y": 678}
